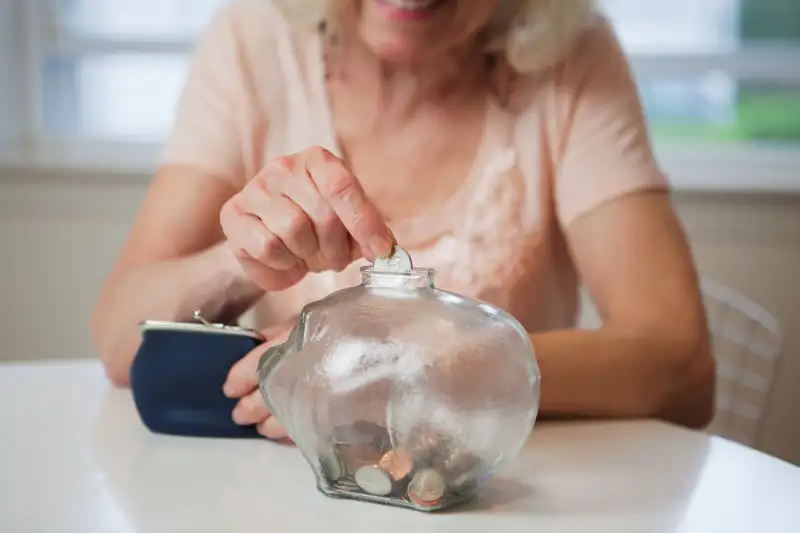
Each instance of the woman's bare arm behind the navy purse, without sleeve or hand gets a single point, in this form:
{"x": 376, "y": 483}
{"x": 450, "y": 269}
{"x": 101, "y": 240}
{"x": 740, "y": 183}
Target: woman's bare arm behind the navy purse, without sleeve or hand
{"x": 175, "y": 261}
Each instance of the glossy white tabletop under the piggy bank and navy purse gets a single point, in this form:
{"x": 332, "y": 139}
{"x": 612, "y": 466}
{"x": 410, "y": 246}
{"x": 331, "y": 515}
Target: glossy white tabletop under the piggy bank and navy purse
{"x": 75, "y": 458}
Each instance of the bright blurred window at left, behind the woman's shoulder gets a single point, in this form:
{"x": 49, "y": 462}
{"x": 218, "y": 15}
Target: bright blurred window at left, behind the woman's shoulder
{"x": 112, "y": 69}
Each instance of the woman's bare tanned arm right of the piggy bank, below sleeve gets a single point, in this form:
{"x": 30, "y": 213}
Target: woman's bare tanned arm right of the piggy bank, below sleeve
{"x": 651, "y": 358}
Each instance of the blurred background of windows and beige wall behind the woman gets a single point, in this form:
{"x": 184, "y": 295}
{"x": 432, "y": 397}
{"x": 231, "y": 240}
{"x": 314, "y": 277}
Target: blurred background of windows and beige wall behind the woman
{"x": 88, "y": 89}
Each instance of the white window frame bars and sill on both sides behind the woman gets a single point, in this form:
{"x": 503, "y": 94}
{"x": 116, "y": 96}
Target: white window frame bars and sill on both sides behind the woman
{"x": 739, "y": 166}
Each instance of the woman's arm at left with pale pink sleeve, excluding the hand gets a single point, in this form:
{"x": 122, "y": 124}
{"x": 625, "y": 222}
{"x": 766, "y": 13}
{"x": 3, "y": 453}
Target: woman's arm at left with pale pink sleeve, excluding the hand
{"x": 175, "y": 261}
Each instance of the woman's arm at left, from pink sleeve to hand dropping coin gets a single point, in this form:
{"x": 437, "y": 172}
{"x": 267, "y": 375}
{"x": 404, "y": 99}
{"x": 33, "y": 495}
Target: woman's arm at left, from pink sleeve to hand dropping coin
{"x": 303, "y": 212}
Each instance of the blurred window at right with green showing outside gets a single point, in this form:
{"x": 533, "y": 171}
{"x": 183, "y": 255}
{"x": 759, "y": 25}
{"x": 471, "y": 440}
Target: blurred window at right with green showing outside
{"x": 714, "y": 71}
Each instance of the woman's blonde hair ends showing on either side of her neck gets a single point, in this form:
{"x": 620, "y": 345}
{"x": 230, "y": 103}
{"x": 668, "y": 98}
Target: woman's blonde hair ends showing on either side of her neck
{"x": 533, "y": 34}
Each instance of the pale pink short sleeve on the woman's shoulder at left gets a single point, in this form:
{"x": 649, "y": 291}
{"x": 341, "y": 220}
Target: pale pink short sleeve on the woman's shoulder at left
{"x": 207, "y": 130}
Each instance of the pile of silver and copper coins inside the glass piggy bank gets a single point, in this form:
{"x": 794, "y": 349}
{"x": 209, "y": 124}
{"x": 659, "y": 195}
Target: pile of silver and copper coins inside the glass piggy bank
{"x": 424, "y": 471}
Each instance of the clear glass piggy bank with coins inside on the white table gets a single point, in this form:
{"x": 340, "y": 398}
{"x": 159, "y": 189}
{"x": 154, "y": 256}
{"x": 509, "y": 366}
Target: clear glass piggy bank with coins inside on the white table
{"x": 397, "y": 392}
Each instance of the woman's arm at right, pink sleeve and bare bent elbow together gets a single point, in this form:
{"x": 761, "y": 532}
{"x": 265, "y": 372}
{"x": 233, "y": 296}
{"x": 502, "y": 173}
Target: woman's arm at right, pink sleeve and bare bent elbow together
{"x": 652, "y": 356}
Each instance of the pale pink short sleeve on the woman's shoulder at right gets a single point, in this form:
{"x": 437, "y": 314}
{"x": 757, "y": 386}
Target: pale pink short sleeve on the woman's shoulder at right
{"x": 606, "y": 150}
